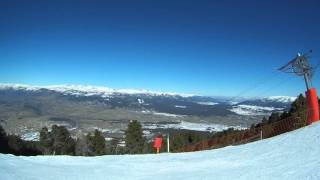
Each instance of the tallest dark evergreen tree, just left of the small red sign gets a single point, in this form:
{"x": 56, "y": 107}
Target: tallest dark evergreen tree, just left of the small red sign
{"x": 134, "y": 138}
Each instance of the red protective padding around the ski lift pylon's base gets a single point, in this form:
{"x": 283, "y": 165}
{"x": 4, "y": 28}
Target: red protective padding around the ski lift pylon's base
{"x": 312, "y": 106}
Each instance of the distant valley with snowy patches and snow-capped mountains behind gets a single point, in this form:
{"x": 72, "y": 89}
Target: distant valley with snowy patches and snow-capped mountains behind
{"x": 87, "y": 107}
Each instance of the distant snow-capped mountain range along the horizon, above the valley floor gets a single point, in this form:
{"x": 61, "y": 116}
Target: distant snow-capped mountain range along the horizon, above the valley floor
{"x": 162, "y": 102}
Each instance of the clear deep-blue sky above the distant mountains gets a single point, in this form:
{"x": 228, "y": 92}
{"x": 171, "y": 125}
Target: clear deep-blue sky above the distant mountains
{"x": 219, "y": 48}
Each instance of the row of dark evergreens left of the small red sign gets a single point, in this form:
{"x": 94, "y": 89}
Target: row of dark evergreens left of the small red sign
{"x": 58, "y": 141}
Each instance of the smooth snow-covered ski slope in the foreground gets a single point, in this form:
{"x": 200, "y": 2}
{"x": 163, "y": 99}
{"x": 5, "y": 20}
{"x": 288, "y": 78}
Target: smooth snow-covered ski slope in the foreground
{"x": 294, "y": 155}
